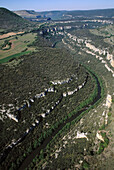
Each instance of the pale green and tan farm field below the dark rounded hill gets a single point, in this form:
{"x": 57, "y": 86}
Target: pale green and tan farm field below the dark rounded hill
{"x": 19, "y": 46}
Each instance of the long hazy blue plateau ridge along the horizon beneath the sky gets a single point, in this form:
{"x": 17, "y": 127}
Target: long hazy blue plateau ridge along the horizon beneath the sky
{"x": 56, "y": 15}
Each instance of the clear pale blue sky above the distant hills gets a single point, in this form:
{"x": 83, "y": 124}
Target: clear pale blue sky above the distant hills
{"x": 60, "y": 5}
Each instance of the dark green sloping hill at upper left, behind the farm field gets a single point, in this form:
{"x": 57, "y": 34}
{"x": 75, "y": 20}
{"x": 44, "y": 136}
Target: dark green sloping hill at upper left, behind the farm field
{"x": 11, "y": 21}
